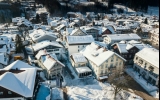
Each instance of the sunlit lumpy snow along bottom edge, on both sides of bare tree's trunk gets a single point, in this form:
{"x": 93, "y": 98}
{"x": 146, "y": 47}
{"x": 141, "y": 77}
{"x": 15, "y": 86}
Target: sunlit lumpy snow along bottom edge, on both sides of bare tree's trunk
{"x": 98, "y": 91}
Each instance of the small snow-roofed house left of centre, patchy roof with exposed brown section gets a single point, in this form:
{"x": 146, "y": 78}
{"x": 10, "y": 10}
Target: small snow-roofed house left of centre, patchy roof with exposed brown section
{"x": 49, "y": 62}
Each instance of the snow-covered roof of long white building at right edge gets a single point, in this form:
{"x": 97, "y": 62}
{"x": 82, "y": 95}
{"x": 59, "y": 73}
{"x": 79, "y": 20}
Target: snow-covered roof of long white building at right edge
{"x": 150, "y": 55}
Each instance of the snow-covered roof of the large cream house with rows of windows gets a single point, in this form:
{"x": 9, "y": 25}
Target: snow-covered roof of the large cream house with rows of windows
{"x": 98, "y": 56}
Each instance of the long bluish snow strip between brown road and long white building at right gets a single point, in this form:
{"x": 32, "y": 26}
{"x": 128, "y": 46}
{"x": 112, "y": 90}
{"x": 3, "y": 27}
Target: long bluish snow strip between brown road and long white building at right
{"x": 149, "y": 88}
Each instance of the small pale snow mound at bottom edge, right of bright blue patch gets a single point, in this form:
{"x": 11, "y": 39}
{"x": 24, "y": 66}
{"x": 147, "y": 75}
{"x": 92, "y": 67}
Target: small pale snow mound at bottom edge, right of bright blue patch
{"x": 57, "y": 94}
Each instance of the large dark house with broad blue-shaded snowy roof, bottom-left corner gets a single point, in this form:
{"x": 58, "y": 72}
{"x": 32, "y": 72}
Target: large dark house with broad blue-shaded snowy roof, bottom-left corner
{"x": 18, "y": 81}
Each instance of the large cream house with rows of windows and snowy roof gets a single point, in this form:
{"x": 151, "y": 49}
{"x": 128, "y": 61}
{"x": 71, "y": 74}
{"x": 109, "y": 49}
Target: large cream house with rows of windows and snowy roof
{"x": 102, "y": 61}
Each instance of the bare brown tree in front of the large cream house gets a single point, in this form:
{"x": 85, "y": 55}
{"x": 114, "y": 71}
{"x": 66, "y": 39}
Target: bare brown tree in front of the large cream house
{"x": 118, "y": 80}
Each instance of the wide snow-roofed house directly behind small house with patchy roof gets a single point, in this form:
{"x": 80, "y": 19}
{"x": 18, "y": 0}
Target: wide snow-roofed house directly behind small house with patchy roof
{"x": 53, "y": 46}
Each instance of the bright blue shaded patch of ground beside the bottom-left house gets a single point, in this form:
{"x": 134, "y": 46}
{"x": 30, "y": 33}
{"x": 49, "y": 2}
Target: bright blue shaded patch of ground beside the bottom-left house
{"x": 43, "y": 92}
